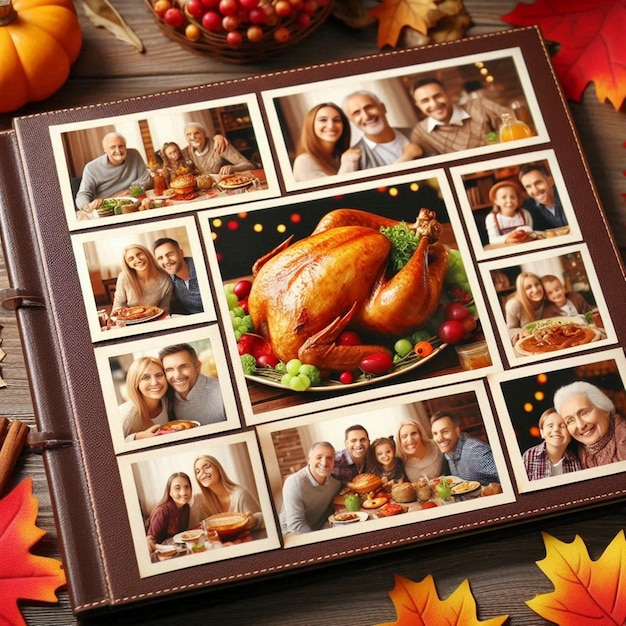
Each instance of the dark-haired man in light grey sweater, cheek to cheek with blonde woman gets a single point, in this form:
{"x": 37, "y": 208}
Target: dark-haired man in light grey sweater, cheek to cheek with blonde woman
{"x": 195, "y": 396}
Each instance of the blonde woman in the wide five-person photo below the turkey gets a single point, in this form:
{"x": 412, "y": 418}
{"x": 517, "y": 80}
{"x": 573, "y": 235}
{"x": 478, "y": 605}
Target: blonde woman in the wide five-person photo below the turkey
{"x": 419, "y": 453}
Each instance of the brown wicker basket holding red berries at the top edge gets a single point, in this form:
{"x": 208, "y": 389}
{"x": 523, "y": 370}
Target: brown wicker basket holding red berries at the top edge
{"x": 214, "y": 44}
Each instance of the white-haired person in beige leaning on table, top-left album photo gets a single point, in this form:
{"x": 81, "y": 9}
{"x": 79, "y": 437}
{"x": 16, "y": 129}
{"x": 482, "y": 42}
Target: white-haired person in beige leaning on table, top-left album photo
{"x": 211, "y": 156}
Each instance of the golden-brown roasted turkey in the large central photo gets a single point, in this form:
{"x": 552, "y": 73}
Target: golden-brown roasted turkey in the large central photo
{"x": 304, "y": 295}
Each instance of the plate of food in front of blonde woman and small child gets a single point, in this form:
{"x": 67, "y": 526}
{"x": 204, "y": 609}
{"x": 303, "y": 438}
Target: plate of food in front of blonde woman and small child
{"x": 555, "y": 333}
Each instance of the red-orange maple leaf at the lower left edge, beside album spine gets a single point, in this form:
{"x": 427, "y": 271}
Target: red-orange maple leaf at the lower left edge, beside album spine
{"x": 22, "y": 574}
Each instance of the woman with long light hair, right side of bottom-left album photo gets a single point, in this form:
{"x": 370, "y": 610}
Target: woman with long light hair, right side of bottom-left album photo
{"x": 219, "y": 494}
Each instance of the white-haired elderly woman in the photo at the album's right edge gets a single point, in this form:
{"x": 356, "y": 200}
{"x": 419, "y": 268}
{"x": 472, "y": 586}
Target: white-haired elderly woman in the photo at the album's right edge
{"x": 592, "y": 421}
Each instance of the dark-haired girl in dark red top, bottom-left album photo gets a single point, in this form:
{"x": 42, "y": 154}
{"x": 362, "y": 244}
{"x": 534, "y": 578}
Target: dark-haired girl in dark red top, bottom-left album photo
{"x": 171, "y": 514}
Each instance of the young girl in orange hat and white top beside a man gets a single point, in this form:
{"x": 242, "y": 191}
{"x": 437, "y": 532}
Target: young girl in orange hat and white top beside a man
{"x": 508, "y": 222}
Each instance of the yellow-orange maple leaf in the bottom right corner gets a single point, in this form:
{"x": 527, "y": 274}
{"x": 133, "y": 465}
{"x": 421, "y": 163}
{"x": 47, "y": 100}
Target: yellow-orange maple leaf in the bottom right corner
{"x": 586, "y": 592}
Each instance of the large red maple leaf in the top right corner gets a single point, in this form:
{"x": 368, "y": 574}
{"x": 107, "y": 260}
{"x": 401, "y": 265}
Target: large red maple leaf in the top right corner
{"x": 590, "y": 33}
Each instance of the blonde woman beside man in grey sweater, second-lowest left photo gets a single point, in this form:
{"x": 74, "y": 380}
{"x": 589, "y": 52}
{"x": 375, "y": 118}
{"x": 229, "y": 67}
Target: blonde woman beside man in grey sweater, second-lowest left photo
{"x": 147, "y": 407}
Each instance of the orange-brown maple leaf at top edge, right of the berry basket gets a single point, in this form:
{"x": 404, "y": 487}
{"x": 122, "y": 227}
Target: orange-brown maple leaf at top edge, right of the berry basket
{"x": 394, "y": 15}
